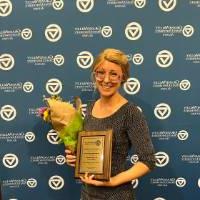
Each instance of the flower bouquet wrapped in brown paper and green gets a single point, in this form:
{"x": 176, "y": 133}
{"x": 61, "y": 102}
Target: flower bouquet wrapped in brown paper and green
{"x": 66, "y": 119}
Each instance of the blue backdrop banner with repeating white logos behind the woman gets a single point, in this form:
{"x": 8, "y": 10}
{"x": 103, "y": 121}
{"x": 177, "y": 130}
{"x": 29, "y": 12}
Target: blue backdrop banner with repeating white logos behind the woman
{"x": 47, "y": 48}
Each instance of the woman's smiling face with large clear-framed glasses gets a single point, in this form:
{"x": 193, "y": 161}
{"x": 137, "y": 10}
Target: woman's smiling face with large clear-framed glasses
{"x": 108, "y": 78}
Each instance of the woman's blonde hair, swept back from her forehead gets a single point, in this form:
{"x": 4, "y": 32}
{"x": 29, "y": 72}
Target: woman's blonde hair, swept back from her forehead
{"x": 115, "y": 56}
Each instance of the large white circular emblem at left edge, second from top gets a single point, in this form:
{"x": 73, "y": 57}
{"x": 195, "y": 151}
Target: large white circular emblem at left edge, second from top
{"x": 7, "y": 62}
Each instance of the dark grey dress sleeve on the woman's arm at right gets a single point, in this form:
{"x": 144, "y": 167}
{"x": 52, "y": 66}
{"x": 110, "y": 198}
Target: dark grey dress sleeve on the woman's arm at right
{"x": 138, "y": 134}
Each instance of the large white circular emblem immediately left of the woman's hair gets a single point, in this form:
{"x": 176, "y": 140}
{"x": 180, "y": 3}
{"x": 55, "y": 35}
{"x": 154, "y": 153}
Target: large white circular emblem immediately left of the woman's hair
{"x": 85, "y": 59}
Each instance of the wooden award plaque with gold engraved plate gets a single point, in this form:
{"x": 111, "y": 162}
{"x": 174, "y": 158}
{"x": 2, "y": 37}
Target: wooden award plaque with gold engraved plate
{"x": 94, "y": 154}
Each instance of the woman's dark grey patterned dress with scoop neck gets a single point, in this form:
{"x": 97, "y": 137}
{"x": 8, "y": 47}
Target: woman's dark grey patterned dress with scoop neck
{"x": 129, "y": 130}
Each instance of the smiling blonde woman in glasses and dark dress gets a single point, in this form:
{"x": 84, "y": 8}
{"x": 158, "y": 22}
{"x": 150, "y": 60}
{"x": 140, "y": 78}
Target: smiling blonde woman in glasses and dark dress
{"x": 113, "y": 111}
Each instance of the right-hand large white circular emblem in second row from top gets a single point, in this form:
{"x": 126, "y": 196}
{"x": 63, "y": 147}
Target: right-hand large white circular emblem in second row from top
{"x": 133, "y": 31}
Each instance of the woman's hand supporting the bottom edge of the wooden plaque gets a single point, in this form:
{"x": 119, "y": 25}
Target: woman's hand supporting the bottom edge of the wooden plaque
{"x": 89, "y": 179}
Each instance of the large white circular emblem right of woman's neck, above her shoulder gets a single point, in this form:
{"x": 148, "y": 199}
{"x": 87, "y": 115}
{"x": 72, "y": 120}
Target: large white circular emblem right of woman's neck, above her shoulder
{"x": 132, "y": 86}
